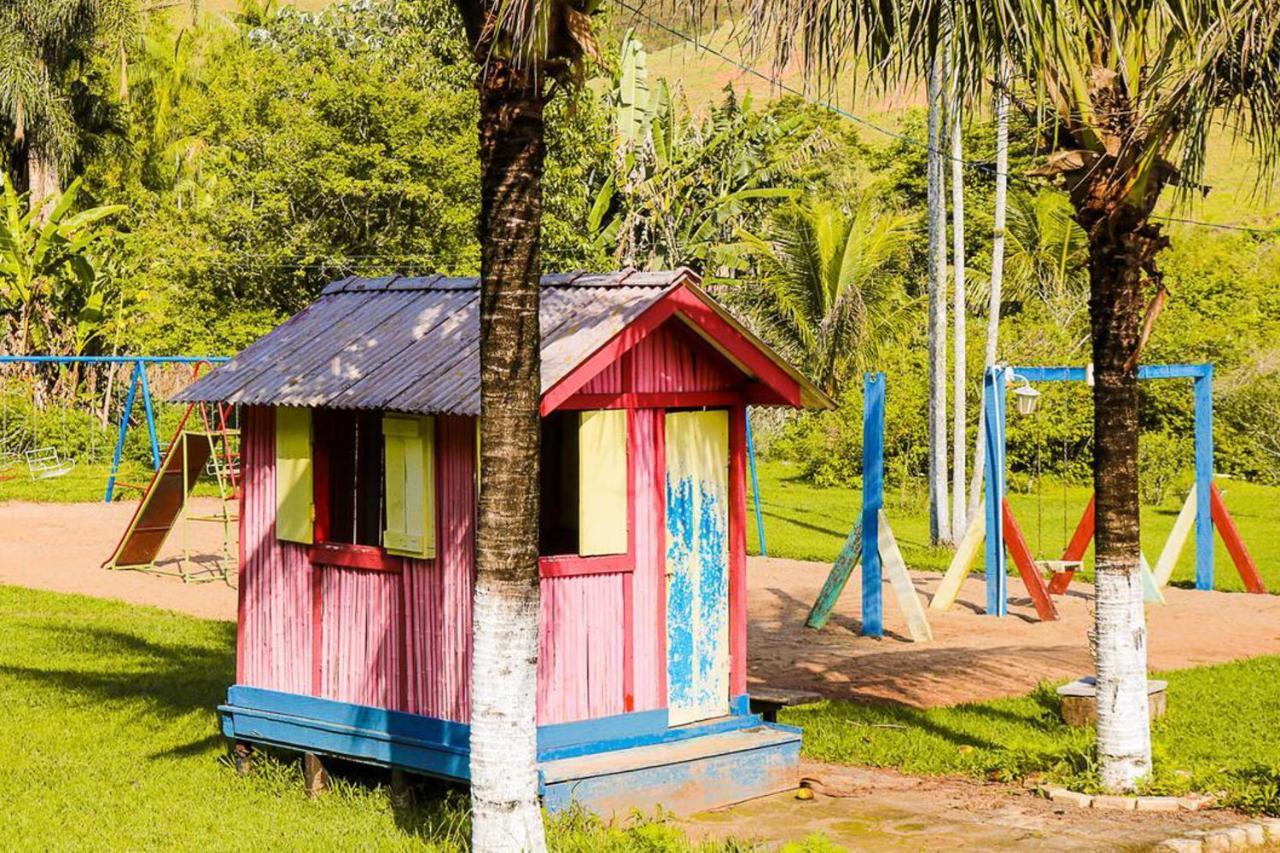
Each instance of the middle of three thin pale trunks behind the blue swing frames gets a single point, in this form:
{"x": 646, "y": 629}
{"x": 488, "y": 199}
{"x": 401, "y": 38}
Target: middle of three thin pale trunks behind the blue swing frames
{"x": 959, "y": 453}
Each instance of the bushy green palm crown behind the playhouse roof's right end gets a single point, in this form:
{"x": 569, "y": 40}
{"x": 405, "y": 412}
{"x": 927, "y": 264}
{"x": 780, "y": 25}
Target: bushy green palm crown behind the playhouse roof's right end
{"x": 822, "y": 294}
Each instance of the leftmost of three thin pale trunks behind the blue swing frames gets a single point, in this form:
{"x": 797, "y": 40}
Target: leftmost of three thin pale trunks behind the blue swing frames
{"x": 940, "y": 521}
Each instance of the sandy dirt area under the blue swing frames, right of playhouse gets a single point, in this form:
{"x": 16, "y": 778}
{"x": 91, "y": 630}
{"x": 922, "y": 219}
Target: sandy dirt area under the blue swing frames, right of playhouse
{"x": 975, "y": 656}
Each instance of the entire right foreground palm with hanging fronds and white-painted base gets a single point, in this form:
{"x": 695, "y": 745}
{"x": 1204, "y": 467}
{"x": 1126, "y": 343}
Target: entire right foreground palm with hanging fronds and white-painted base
{"x": 1124, "y": 94}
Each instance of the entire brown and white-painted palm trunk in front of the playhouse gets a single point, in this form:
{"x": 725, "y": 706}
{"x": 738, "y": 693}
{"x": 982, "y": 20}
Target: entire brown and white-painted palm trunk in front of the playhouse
{"x": 506, "y": 813}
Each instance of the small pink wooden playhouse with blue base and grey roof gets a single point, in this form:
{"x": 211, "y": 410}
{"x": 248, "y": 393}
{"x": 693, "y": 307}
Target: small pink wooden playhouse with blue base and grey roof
{"x": 359, "y": 453}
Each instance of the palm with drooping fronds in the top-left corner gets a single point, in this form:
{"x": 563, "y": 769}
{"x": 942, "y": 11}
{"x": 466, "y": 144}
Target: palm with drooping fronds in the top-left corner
{"x": 43, "y": 47}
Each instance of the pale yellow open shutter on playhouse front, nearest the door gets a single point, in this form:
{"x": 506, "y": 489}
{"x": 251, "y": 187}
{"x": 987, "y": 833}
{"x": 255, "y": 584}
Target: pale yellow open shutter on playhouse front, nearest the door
{"x": 602, "y": 482}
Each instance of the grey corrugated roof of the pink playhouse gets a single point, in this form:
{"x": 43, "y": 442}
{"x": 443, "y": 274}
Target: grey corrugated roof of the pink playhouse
{"x": 413, "y": 345}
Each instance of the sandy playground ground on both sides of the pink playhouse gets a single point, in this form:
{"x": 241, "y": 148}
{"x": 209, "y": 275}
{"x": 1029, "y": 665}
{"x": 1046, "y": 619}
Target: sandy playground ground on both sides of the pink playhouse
{"x": 973, "y": 656}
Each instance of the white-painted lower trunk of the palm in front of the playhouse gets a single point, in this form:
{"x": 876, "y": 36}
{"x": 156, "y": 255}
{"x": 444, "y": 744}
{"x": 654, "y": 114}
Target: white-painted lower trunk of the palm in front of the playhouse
{"x": 504, "y": 719}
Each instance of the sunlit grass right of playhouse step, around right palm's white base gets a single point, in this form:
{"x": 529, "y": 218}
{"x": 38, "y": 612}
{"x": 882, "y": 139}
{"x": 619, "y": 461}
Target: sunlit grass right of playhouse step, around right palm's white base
{"x": 1219, "y": 736}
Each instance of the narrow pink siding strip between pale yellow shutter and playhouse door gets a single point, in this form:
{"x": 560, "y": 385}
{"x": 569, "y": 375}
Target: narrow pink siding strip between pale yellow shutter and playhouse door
{"x": 650, "y": 582}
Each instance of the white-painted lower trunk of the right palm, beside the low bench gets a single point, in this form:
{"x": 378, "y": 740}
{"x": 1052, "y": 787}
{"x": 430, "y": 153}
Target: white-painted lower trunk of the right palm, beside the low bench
{"x": 1121, "y": 649}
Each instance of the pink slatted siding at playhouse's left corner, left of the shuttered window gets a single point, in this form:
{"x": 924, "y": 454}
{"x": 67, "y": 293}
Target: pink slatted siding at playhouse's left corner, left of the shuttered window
{"x": 276, "y": 597}
